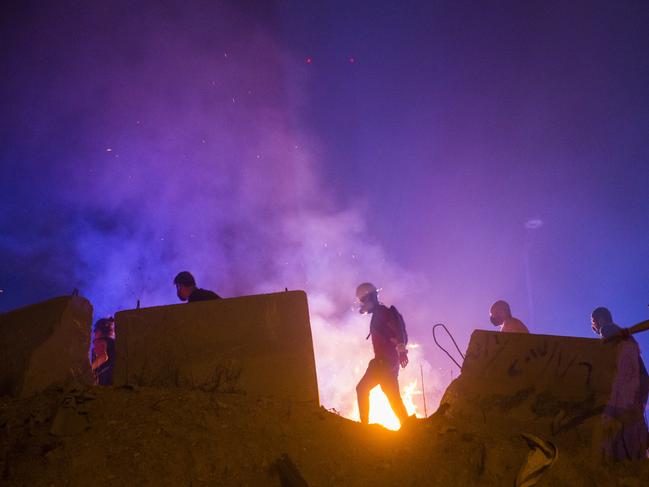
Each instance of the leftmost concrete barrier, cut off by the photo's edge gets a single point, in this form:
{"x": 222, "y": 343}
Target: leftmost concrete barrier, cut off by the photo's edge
{"x": 43, "y": 344}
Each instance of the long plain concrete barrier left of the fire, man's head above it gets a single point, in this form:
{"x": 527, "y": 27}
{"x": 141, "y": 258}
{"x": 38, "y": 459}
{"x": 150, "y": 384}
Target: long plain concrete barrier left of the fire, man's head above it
{"x": 255, "y": 345}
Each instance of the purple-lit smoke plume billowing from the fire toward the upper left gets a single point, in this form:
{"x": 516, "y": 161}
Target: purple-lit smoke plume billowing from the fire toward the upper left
{"x": 164, "y": 138}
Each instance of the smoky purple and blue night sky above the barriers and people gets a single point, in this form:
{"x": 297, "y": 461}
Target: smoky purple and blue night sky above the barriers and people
{"x": 264, "y": 145}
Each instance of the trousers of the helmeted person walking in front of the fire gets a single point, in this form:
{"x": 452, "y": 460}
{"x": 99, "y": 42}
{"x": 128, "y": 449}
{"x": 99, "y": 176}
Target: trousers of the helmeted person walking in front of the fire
{"x": 386, "y": 375}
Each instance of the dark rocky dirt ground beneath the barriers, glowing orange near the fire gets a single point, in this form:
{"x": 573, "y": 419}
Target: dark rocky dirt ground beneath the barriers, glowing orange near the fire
{"x": 147, "y": 436}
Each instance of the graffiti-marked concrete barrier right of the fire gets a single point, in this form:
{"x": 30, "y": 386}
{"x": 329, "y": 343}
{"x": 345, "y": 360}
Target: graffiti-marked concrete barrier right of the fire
{"x": 557, "y": 387}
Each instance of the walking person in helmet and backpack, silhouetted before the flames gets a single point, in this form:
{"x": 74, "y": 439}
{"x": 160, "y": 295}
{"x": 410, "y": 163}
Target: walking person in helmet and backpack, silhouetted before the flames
{"x": 388, "y": 342}
